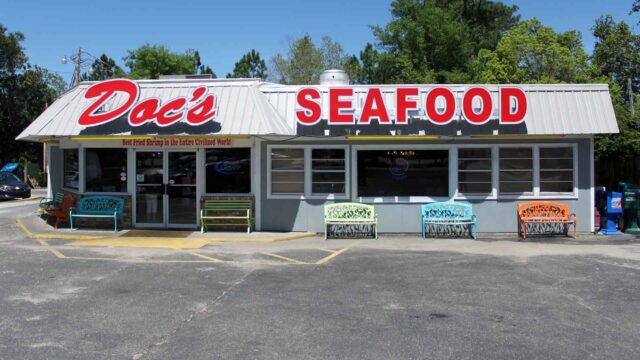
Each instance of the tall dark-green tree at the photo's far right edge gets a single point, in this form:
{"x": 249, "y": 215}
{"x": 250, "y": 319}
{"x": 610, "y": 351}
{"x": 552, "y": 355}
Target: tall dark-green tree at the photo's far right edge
{"x": 616, "y": 53}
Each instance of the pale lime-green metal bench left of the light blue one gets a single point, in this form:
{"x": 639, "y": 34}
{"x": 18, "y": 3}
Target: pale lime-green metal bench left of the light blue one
{"x": 350, "y": 214}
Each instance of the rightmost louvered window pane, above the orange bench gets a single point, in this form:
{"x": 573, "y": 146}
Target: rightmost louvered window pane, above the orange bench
{"x": 556, "y": 169}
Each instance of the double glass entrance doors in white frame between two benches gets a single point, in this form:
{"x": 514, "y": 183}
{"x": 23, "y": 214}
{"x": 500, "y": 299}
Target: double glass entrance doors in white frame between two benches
{"x": 166, "y": 191}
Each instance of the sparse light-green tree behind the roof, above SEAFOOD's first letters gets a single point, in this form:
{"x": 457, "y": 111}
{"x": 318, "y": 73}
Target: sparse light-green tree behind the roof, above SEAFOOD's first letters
{"x": 304, "y": 61}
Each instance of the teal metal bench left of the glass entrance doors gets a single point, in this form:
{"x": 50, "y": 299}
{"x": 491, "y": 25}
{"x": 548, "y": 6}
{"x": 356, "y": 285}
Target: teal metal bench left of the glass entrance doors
{"x": 99, "y": 206}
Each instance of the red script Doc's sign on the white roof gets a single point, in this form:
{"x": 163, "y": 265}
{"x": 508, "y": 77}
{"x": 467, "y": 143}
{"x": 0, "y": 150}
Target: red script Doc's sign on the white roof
{"x": 197, "y": 108}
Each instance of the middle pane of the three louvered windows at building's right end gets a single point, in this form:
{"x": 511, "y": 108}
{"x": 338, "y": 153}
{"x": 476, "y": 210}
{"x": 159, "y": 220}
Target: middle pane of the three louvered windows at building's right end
{"x": 516, "y": 170}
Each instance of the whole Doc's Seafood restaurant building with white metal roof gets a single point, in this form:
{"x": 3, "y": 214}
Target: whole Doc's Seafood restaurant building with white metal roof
{"x": 167, "y": 145}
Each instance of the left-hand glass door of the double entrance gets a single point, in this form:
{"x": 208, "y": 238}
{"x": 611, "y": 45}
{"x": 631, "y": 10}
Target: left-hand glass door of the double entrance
{"x": 150, "y": 188}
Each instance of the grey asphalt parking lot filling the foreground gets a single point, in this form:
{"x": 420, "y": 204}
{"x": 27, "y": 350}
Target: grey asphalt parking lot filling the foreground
{"x": 459, "y": 300}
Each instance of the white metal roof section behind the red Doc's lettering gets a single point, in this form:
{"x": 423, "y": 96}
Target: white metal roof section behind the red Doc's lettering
{"x": 242, "y": 110}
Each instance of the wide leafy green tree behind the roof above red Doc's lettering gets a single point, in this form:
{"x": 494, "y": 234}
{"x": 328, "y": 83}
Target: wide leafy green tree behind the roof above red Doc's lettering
{"x": 151, "y": 61}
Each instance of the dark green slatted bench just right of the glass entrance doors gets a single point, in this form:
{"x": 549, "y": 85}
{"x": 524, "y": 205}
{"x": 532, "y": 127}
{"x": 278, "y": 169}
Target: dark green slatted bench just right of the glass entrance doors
{"x": 217, "y": 212}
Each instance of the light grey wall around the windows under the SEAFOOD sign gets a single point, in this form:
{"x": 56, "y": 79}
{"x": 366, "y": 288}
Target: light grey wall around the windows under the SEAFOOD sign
{"x": 493, "y": 215}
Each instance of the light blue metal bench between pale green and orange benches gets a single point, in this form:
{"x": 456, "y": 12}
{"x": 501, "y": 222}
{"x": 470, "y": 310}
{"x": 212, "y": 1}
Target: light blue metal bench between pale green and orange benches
{"x": 448, "y": 213}
